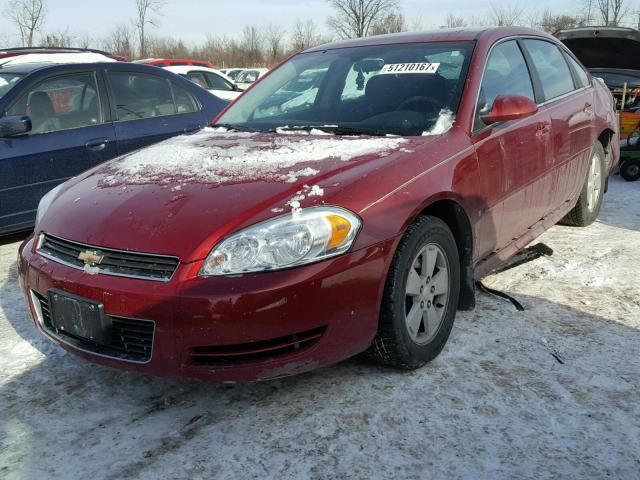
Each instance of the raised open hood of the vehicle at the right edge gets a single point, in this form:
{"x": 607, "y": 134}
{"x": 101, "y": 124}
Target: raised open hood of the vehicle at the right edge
{"x": 605, "y": 47}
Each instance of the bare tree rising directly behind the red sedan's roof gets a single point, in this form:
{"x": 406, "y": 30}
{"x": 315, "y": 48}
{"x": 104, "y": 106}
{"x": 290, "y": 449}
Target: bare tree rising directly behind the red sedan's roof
{"x": 353, "y": 18}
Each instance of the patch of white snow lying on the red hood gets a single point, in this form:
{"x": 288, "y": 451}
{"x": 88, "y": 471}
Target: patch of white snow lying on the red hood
{"x": 216, "y": 156}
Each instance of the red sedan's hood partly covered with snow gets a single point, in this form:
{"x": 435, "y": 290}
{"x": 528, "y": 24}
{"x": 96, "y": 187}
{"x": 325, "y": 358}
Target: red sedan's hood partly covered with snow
{"x": 182, "y": 196}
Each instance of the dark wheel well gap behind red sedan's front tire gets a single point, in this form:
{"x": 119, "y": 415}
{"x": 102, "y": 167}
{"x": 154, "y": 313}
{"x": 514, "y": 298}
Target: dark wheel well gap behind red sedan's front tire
{"x": 457, "y": 220}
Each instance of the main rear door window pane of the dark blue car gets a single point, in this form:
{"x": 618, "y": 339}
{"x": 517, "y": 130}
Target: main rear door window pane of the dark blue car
{"x": 139, "y": 95}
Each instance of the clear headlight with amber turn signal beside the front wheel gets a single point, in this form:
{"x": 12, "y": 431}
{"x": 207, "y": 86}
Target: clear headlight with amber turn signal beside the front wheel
{"x": 290, "y": 240}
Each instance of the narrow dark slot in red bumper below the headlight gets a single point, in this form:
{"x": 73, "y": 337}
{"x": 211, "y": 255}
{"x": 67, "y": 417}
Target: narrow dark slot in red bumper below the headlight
{"x": 255, "y": 351}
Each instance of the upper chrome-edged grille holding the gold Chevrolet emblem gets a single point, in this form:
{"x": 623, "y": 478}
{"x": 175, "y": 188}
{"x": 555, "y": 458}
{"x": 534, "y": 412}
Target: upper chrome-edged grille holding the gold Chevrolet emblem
{"x": 113, "y": 262}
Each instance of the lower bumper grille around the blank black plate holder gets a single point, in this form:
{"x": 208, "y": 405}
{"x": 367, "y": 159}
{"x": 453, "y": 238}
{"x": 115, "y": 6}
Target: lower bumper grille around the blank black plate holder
{"x": 132, "y": 339}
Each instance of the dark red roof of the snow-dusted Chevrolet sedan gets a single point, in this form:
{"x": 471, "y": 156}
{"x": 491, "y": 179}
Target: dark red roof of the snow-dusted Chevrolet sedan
{"x": 442, "y": 35}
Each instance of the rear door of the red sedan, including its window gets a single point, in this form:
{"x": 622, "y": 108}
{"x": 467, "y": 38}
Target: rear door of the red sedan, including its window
{"x": 568, "y": 97}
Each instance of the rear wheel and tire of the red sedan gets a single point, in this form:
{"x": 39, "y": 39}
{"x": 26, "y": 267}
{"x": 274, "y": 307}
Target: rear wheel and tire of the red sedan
{"x": 587, "y": 209}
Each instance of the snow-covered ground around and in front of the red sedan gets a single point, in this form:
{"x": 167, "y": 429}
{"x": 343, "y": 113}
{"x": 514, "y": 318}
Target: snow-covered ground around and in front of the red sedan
{"x": 552, "y": 392}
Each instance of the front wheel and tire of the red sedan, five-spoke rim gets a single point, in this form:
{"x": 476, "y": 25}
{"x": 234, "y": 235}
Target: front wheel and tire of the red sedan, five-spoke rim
{"x": 427, "y": 249}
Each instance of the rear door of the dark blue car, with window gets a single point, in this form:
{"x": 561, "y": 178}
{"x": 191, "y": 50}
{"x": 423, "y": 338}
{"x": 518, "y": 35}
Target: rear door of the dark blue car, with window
{"x": 149, "y": 108}
